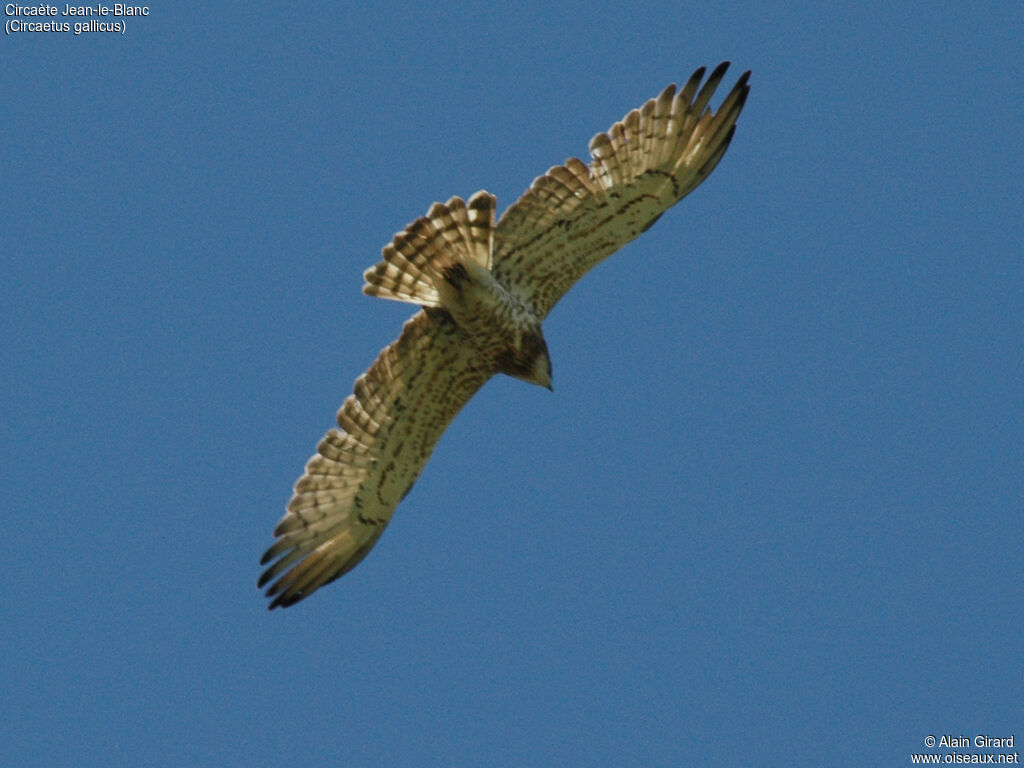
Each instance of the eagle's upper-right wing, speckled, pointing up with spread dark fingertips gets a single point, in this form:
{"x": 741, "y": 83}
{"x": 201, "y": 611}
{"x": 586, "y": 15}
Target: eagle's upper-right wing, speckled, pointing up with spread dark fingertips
{"x": 576, "y": 216}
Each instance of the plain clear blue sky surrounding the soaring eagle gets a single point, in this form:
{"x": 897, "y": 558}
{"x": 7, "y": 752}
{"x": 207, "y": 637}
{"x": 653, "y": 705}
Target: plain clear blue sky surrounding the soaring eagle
{"x": 772, "y": 515}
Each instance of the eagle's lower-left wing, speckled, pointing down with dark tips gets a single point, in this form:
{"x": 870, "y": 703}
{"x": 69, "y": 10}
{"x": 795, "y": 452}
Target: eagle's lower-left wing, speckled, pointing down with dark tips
{"x": 389, "y": 429}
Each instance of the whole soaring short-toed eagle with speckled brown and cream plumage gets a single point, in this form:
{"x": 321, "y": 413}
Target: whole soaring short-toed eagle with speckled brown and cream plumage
{"x": 485, "y": 289}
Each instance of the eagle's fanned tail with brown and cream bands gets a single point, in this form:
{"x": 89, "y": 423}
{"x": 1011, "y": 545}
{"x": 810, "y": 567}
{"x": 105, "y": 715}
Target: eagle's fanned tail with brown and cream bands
{"x": 415, "y": 262}
